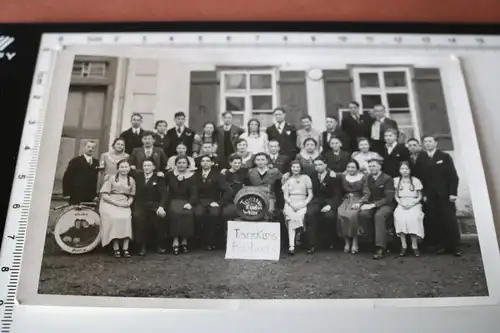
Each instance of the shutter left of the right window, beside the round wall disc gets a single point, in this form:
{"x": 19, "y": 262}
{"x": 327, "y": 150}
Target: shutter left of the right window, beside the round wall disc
{"x": 338, "y": 90}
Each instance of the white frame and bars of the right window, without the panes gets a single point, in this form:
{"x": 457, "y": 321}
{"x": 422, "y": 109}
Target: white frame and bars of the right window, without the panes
{"x": 383, "y": 91}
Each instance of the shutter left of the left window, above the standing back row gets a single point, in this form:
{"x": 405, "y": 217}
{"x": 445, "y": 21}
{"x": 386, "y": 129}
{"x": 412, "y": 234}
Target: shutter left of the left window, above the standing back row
{"x": 203, "y": 99}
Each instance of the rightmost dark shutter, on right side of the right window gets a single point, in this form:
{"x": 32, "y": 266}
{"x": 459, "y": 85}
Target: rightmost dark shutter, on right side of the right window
{"x": 432, "y": 106}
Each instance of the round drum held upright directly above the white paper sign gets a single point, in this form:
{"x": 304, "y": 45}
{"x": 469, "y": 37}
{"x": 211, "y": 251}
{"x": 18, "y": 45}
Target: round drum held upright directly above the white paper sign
{"x": 252, "y": 203}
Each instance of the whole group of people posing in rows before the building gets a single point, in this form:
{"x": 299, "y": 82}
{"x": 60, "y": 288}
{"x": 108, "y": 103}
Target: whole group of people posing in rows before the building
{"x": 356, "y": 178}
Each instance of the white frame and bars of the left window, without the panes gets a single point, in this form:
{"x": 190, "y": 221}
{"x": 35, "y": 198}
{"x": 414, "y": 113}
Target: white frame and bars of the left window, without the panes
{"x": 248, "y": 93}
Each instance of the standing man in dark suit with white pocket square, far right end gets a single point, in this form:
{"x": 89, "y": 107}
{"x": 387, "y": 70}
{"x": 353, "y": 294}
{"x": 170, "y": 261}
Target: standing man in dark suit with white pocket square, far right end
{"x": 439, "y": 178}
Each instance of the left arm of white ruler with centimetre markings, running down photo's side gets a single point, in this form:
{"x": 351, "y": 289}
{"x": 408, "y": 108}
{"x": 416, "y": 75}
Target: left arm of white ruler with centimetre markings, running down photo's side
{"x": 21, "y": 193}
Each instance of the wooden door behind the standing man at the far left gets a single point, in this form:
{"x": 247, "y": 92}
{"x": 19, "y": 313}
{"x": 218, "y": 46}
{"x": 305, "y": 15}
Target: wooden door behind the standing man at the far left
{"x": 85, "y": 119}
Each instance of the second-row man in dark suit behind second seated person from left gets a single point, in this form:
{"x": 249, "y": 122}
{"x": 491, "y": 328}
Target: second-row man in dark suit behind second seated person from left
{"x": 148, "y": 151}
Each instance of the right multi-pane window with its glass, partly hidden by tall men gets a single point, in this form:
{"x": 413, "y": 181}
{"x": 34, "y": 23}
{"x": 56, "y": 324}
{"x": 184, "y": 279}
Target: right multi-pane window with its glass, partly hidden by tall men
{"x": 392, "y": 88}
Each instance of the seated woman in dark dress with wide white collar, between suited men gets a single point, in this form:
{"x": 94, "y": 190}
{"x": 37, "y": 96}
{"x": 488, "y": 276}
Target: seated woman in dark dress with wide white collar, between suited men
{"x": 182, "y": 196}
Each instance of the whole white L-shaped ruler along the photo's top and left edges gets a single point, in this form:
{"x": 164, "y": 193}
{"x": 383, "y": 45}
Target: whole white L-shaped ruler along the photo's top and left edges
{"x": 19, "y": 206}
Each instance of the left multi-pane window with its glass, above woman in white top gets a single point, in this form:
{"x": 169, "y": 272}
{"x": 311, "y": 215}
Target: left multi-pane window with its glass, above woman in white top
{"x": 249, "y": 94}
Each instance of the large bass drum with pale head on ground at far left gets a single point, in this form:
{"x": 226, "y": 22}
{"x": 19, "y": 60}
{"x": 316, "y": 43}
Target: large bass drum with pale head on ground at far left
{"x": 78, "y": 229}
